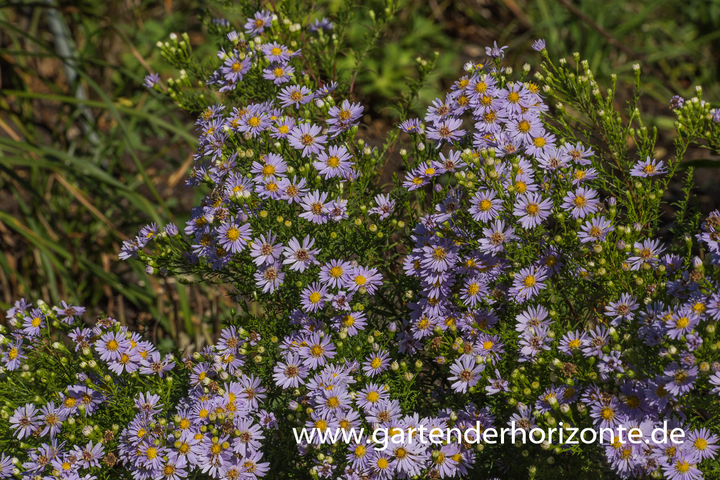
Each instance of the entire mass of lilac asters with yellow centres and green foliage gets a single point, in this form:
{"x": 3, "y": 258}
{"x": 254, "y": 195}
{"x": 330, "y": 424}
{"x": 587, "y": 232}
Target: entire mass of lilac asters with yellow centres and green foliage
{"x": 513, "y": 279}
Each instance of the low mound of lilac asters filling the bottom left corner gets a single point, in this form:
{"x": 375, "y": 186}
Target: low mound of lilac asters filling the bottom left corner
{"x": 214, "y": 424}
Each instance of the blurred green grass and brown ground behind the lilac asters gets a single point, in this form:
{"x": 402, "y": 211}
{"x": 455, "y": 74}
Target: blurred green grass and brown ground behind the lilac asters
{"x": 87, "y": 153}
